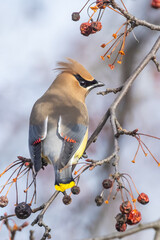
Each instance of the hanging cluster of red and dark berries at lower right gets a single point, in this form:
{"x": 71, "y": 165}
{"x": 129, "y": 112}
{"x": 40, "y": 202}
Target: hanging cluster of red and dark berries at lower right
{"x": 128, "y": 214}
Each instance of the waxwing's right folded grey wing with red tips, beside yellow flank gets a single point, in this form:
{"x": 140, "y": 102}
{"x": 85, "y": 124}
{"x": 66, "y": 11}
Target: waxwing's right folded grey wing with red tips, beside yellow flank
{"x": 73, "y": 136}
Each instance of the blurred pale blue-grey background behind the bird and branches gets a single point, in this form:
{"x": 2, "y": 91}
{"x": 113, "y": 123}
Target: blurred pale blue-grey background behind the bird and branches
{"x": 34, "y": 35}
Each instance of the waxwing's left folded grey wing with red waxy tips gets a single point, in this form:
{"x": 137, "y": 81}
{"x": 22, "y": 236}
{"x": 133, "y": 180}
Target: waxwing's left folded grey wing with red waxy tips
{"x": 37, "y": 133}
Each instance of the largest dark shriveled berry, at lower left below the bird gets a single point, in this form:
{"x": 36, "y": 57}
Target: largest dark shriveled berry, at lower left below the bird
{"x": 23, "y": 210}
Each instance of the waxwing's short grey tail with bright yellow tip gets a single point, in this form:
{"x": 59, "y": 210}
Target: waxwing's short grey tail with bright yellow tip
{"x": 64, "y": 179}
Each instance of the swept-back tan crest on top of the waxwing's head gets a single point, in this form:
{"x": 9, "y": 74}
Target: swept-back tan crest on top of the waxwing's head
{"x": 74, "y": 67}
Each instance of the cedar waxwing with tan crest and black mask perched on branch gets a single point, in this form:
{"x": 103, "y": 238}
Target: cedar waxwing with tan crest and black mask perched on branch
{"x": 58, "y": 130}
